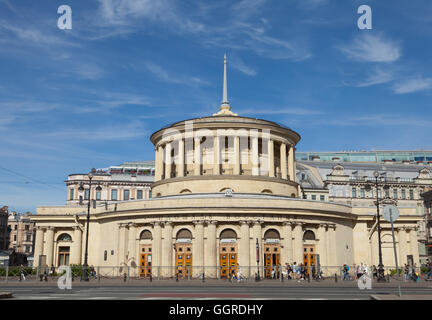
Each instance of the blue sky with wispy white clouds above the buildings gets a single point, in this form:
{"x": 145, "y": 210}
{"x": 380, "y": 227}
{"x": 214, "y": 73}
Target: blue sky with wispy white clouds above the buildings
{"x": 91, "y": 96}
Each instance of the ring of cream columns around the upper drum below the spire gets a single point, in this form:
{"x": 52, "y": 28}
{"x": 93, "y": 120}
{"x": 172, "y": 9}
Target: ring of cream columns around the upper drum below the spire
{"x": 164, "y": 156}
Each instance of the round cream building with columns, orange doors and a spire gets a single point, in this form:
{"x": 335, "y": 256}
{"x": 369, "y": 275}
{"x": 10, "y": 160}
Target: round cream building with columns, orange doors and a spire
{"x": 226, "y": 195}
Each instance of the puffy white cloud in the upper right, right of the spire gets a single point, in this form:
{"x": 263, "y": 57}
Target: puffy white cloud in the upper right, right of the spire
{"x": 372, "y": 48}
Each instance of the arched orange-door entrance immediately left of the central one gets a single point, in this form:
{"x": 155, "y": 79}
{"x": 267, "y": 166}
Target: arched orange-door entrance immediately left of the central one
{"x": 184, "y": 253}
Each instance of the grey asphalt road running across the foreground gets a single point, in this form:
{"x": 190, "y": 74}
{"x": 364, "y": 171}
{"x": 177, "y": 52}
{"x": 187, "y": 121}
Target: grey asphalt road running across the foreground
{"x": 220, "y": 292}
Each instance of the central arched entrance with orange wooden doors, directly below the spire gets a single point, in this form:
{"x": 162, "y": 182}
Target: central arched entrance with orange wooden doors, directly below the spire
{"x": 228, "y": 255}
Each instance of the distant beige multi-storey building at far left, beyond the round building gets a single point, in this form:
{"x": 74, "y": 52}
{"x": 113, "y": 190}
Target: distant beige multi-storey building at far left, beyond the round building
{"x": 22, "y": 232}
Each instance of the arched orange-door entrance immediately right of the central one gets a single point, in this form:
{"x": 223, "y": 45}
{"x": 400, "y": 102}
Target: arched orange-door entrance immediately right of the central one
{"x": 272, "y": 253}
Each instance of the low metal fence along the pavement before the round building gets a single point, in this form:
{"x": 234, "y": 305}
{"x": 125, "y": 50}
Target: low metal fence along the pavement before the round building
{"x": 181, "y": 273}
